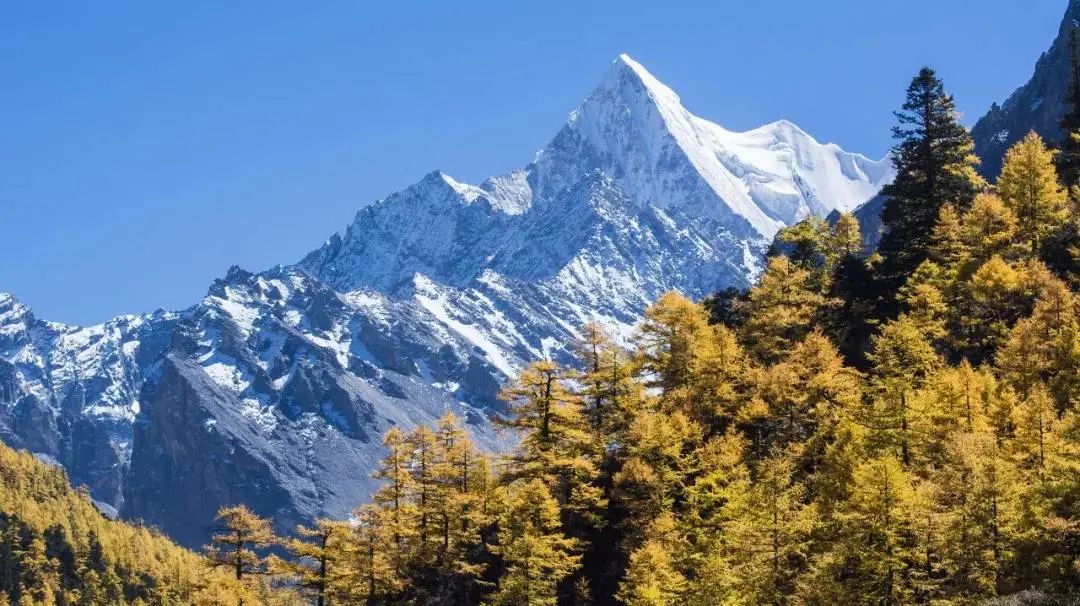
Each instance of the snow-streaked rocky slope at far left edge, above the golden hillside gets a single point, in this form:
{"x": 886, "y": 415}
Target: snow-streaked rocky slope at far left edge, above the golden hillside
{"x": 73, "y": 393}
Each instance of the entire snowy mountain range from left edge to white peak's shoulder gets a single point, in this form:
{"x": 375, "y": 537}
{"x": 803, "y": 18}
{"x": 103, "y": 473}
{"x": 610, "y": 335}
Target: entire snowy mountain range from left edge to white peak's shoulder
{"x": 276, "y": 388}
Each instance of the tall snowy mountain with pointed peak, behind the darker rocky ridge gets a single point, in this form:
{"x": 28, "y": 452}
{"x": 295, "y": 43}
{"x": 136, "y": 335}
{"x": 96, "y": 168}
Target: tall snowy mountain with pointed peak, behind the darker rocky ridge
{"x": 632, "y": 198}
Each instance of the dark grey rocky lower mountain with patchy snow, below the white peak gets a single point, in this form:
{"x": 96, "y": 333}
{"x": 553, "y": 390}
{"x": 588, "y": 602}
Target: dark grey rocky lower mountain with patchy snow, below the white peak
{"x": 276, "y": 393}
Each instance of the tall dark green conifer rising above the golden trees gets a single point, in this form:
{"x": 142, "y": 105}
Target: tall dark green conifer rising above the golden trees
{"x": 935, "y": 166}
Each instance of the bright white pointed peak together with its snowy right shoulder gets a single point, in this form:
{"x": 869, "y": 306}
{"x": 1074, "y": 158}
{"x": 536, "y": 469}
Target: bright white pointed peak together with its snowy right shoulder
{"x": 636, "y": 129}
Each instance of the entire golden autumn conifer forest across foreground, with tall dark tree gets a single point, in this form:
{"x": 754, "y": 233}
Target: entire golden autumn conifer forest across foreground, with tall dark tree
{"x": 890, "y": 427}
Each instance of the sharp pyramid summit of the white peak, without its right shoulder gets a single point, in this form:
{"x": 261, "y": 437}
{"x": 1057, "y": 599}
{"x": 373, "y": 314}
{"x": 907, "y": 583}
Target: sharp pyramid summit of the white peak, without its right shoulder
{"x": 634, "y": 128}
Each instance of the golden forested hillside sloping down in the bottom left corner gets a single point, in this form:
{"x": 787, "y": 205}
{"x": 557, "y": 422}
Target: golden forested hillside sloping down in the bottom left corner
{"x": 58, "y": 549}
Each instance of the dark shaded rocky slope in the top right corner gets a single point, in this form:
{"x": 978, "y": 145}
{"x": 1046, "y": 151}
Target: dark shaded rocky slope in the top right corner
{"x": 1039, "y": 105}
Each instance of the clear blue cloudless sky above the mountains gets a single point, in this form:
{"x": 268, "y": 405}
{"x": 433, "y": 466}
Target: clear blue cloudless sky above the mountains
{"x": 145, "y": 147}
